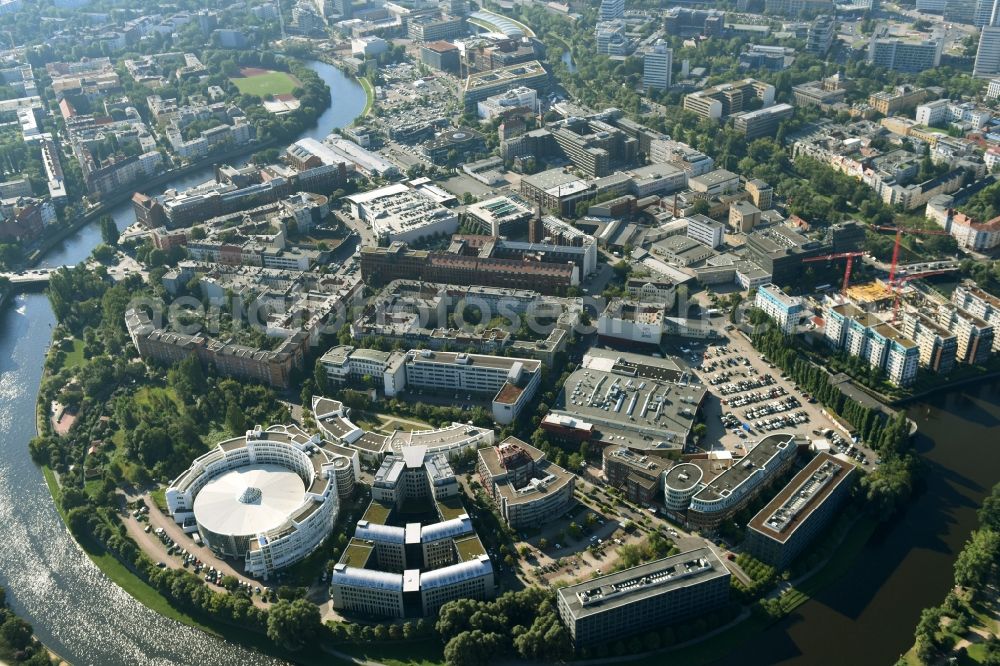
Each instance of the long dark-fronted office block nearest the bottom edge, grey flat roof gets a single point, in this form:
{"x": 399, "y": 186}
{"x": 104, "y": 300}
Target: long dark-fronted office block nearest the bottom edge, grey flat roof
{"x": 649, "y": 596}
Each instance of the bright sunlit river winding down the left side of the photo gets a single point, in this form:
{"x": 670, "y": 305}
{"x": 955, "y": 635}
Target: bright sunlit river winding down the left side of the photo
{"x": 74, "y": 608}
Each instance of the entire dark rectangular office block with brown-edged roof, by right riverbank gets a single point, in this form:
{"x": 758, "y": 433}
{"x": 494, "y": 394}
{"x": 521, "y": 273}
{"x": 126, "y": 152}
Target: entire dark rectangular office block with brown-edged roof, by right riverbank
{"x": 799, "y": 513}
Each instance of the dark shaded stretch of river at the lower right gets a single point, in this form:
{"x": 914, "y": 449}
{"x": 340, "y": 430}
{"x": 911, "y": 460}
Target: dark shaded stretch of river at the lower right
{"x": 869, "y": 616}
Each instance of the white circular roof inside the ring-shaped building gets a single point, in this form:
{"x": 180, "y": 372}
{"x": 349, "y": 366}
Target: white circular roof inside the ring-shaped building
{"x": 249, "y": 500}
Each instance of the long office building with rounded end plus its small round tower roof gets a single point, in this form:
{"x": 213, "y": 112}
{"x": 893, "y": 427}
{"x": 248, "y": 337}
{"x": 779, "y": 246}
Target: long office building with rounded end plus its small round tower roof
{"x": 731, "y": 491}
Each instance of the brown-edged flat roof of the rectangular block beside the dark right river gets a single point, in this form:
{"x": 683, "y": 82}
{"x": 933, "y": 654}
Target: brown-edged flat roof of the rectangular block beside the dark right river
{"x": 804, "y": 494}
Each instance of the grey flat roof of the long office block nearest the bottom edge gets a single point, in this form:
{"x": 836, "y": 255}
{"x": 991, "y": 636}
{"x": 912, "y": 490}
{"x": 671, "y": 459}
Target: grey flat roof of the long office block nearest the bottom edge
{"x": 621, "y": 588}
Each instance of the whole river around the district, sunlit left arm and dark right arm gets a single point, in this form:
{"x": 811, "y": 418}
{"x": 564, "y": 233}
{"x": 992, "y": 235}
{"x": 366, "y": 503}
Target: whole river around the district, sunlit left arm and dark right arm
{"x": 85, "y": 617}
